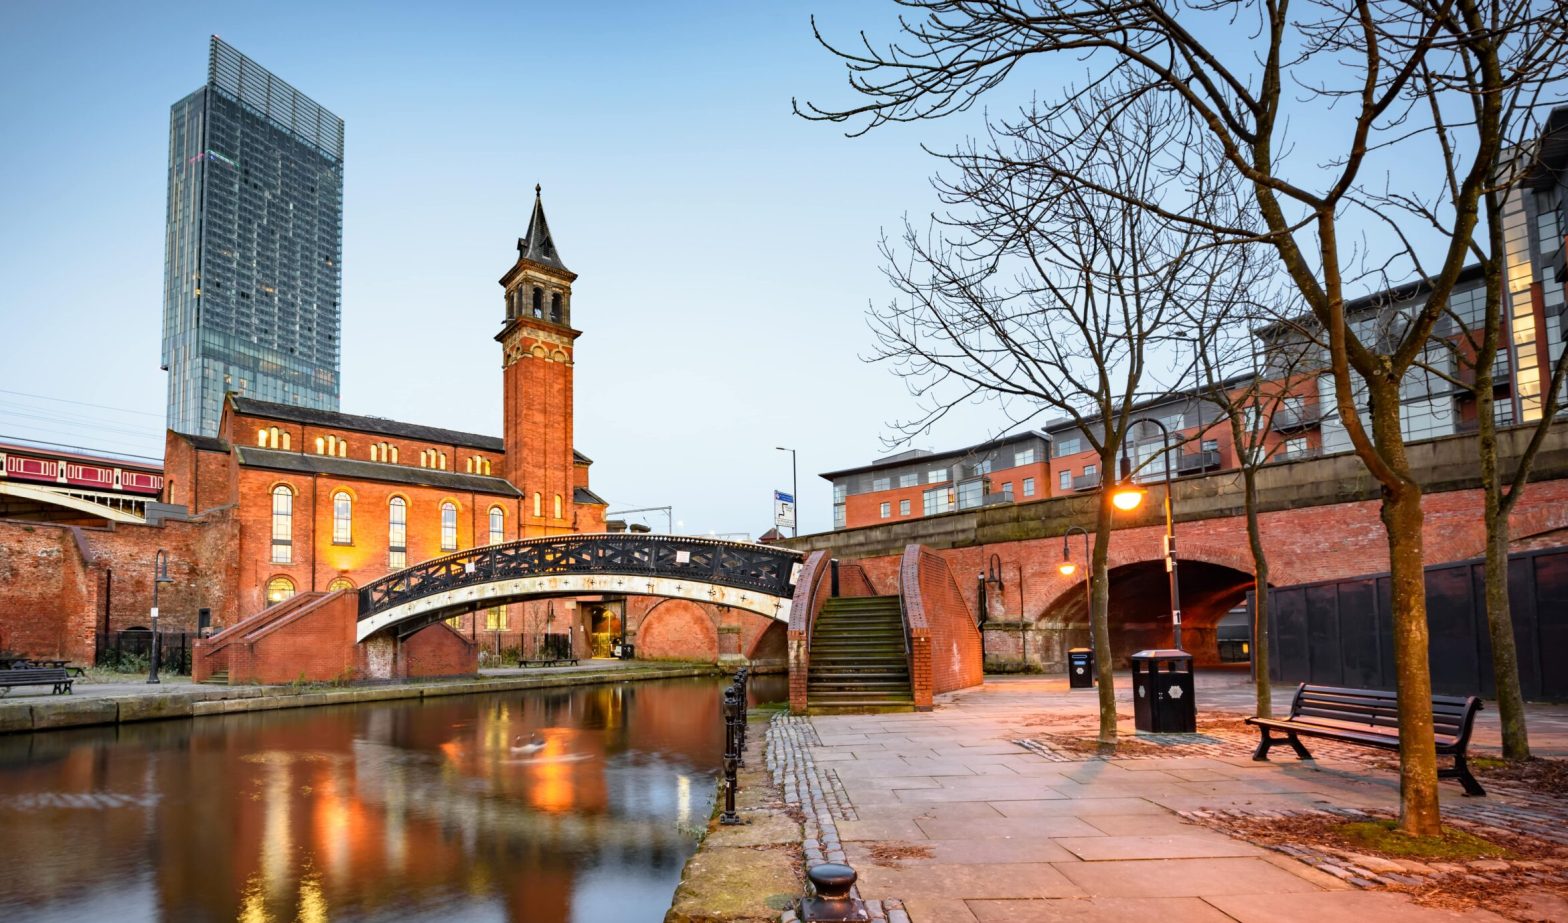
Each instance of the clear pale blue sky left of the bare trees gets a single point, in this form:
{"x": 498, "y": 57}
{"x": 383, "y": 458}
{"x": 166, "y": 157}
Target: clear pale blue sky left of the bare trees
{"x": 727, "y": 248}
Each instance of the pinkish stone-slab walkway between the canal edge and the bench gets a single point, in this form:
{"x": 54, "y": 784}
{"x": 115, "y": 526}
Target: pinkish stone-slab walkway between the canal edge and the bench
{"x": 948, "y": 814}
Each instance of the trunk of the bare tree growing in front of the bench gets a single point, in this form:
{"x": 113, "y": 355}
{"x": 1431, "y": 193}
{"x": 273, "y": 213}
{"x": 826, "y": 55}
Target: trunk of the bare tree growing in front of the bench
{"x": 1420, "y": 813}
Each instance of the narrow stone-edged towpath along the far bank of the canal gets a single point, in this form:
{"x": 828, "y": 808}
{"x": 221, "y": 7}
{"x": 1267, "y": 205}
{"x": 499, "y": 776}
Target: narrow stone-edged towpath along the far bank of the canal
{"x": 175, "y": 697}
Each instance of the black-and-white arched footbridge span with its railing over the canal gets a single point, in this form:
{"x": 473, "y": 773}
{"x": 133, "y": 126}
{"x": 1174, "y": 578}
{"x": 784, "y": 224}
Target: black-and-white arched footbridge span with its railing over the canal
{"x": 744, "y": 576}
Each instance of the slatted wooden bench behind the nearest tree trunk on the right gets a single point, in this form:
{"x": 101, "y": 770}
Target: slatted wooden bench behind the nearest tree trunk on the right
{"x": 1371, "y": 718}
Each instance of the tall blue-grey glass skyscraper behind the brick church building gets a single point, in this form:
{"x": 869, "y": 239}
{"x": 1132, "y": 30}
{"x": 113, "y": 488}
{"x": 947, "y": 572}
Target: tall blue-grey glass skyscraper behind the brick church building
{"x": 253, "y": 255}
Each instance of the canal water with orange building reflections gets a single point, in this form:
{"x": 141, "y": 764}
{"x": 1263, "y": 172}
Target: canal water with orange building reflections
{"x": 551, "y": 806}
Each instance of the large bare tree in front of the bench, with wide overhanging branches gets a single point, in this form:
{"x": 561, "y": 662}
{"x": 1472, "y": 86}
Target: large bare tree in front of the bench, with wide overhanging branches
{"x": 1363, "y": 74}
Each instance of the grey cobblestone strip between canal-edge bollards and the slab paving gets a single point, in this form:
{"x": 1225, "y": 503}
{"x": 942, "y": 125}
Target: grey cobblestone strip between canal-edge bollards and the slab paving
{"x": 822, "y": 802}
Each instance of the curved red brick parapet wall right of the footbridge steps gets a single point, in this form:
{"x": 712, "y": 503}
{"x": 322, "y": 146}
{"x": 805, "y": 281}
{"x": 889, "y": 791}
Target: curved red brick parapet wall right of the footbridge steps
{"x": 945, "y": 640}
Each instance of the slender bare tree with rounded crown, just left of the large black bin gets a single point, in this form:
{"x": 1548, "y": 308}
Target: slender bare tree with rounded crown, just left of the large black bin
{"x": 1044, "y": 295}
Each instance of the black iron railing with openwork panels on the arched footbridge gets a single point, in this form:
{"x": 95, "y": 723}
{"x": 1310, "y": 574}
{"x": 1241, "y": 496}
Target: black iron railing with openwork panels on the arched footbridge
{"x": 739, "y": 565}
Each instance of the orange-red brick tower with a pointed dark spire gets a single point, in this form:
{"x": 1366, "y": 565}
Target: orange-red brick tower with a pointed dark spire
{"x": 537, "y": 361}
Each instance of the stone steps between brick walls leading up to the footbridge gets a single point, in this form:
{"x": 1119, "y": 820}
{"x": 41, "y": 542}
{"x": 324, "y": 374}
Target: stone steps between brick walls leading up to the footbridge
{"x": 858, "y": 657}
